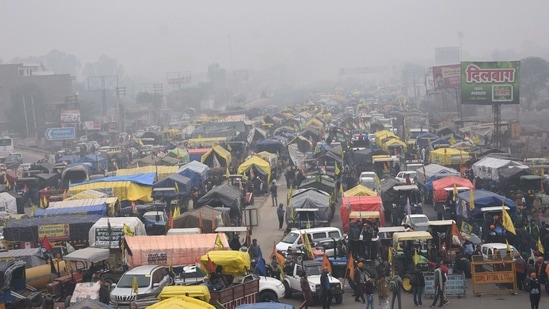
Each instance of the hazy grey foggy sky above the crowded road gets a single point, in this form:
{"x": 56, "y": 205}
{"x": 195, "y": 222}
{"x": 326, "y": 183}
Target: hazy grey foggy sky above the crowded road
{"x": 150, "y": 38}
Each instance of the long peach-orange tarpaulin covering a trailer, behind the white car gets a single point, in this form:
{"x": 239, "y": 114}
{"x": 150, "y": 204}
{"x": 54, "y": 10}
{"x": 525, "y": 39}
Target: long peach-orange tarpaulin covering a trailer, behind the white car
{"x": 170, "y": 249}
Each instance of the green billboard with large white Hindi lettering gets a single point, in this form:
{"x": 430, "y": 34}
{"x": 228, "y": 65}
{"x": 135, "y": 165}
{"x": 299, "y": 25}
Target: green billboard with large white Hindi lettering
{"x": 487, "y": 83}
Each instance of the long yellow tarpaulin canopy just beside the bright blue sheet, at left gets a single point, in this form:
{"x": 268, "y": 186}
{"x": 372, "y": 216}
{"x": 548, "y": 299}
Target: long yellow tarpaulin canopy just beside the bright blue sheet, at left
{"x": 123, "y": 190}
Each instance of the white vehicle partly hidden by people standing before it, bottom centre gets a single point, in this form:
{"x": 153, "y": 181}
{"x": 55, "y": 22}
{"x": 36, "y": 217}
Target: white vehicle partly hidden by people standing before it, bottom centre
{"x": 313, "y": 270}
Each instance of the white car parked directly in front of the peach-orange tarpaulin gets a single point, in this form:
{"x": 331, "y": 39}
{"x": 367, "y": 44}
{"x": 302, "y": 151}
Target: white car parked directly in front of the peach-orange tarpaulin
{"x": 150, "y": 281}
